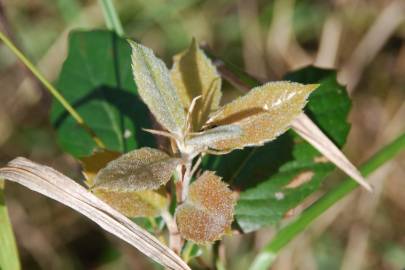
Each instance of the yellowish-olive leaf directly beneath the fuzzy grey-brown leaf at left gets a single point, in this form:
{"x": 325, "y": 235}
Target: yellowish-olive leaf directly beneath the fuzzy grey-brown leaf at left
{"x": 147, "y": 203}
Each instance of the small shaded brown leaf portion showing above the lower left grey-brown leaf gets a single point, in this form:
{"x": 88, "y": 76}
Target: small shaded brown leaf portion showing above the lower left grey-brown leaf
{"x": 94, "y": 163}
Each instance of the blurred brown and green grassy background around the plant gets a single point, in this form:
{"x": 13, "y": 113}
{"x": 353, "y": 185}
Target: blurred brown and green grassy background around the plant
{"x": 363, "y": 39}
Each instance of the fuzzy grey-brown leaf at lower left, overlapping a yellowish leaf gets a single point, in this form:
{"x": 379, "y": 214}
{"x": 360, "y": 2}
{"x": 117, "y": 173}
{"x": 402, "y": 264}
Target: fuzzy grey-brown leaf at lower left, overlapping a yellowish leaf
{"x": 141, "y": 169}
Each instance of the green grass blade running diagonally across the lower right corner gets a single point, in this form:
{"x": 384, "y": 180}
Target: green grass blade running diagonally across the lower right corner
{"x": 269, "y": 253}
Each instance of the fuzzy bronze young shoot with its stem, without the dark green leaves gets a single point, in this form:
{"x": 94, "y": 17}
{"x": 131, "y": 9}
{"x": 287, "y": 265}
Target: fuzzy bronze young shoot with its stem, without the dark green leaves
{"x": 185, "y": 101}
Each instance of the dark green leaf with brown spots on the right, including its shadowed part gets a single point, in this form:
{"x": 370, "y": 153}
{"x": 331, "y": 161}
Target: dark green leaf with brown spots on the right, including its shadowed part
{"x": 277, "y": 177}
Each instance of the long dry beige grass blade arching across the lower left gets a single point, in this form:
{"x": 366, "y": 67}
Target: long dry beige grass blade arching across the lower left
{"x": 55, "y": 185}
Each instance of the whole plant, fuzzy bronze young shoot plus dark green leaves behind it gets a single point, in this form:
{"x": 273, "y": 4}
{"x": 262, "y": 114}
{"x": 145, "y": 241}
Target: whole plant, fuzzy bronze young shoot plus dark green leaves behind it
{"x": 185, "y": 101}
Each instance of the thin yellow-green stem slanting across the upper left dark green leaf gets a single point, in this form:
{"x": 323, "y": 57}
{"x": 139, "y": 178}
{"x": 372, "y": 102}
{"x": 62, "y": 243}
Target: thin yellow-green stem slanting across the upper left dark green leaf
{"x": 51, "y": 89}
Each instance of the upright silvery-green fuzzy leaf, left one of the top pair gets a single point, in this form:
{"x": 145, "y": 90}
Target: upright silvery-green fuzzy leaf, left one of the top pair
{"x": 156, "y": 88}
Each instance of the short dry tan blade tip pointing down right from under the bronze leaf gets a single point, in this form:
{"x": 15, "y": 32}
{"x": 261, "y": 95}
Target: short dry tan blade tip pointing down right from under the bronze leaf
{"x": 311, "y": 133}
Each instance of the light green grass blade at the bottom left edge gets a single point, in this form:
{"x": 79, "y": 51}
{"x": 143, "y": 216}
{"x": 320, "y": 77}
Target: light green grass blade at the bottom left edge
{"x": 9, "y": 258}
